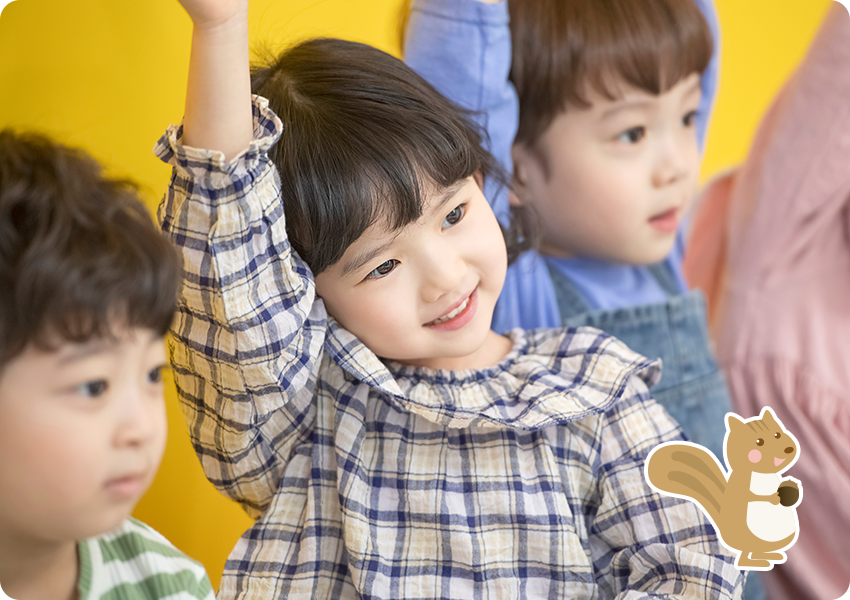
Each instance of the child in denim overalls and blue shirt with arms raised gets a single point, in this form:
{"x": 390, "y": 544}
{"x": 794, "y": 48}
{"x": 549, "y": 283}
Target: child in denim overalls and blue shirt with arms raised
{"x": 600, "y": 108}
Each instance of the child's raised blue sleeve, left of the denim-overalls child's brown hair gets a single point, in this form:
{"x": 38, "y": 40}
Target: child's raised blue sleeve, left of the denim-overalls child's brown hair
{"x": 463, "y": 49}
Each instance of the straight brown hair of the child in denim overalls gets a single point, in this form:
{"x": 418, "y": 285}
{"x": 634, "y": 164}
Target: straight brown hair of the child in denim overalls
{"x": 564, "y": 48}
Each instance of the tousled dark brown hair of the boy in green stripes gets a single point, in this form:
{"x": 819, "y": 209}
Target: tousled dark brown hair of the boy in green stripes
{"x": 79, "y": 253}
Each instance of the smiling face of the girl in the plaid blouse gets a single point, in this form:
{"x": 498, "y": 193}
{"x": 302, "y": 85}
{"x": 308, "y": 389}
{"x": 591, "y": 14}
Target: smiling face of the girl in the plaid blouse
{"x": 425, "y": 294}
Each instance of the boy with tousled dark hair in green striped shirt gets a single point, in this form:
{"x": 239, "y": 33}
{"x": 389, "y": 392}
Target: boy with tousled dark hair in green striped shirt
{"x": 88, "y": 288}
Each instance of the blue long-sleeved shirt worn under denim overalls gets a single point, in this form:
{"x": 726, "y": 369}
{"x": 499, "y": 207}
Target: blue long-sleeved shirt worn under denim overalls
{"x": 463, "y": 48}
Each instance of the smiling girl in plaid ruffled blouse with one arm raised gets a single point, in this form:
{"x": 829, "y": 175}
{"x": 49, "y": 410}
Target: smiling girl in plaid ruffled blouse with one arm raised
{"x": 335, "y": 360}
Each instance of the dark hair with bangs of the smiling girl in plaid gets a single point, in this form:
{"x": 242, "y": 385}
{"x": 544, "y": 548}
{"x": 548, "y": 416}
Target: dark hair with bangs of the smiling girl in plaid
{"x": 363, "y": 136}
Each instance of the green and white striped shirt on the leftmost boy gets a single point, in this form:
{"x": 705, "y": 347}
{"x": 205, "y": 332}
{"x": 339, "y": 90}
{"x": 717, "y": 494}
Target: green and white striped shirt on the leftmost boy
{"x": 134, "y": 562}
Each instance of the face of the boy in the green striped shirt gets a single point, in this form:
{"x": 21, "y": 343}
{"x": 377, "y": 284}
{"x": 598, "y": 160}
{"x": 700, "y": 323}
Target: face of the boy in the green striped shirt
{"x": 82, "y": 432}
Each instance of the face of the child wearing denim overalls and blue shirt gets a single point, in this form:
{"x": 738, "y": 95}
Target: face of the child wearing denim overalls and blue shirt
{"x": 613, "y": 181}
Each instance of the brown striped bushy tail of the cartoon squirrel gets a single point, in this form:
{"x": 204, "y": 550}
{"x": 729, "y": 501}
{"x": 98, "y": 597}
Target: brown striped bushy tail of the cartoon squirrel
{"x": 688, "y": 471}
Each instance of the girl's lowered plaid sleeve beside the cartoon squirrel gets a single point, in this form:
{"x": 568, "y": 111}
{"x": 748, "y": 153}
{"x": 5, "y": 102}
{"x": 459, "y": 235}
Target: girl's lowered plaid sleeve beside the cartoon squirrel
{"x": 644, "y": 544}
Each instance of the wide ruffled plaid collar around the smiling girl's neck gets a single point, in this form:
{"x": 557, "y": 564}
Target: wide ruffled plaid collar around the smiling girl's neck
{"x": 550, "y": 377}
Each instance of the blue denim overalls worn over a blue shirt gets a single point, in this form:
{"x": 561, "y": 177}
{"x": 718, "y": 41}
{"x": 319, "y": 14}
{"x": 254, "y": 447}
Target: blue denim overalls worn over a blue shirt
{"x": 692, "y": 387}
